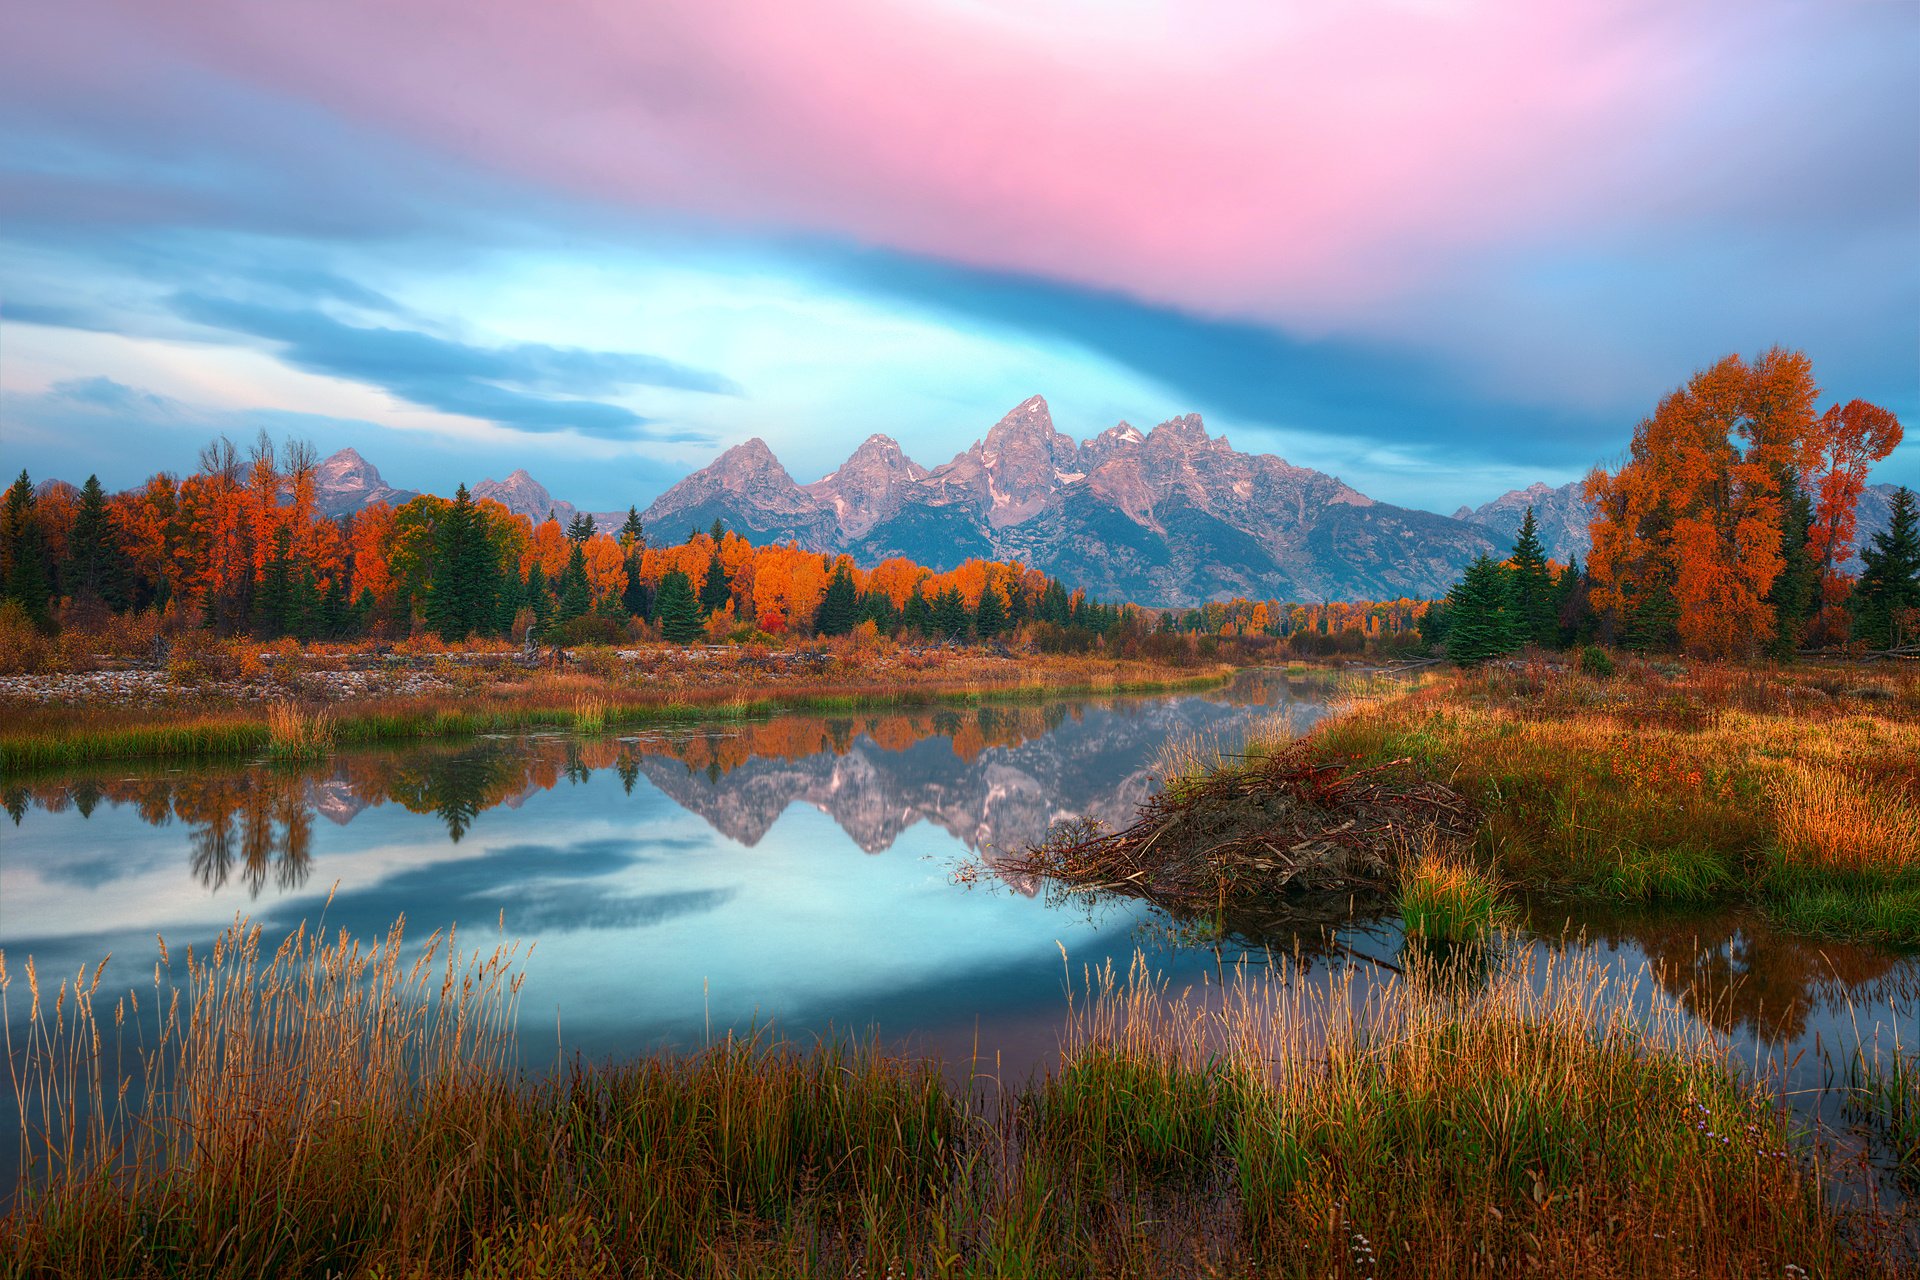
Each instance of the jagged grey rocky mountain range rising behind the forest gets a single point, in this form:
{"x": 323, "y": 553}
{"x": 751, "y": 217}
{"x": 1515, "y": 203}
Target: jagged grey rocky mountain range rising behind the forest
{"x": 1166, "y": 517}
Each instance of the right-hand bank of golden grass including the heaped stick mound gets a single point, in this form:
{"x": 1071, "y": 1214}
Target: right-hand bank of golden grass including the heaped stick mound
{"x": 1796, "y": 790}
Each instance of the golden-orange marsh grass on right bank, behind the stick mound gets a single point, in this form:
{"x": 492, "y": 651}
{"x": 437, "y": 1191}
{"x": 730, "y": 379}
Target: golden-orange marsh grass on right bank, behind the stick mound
{"x": 1792, "y": 788}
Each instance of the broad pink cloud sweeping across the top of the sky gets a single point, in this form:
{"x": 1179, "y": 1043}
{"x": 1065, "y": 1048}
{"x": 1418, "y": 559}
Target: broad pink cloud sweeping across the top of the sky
{"x": 1295, "y": 162}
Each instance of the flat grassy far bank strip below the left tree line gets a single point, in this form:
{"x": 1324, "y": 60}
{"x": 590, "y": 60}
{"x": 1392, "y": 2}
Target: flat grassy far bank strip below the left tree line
{"x": 299, "y": 703}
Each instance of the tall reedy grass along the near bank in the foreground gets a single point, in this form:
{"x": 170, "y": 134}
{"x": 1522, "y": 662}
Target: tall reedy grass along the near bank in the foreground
{"x": 1439, "y": 1124}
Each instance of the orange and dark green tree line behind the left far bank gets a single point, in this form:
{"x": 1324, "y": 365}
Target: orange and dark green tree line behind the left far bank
{"x": 243, "y": 550}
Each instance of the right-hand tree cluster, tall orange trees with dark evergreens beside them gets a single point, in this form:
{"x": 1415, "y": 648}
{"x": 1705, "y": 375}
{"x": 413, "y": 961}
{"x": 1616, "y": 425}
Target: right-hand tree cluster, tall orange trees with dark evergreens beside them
{"x": 1725, "y": 534}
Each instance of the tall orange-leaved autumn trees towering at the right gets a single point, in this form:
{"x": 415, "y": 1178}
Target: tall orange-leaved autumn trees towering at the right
{"x": 1694, "y": 534}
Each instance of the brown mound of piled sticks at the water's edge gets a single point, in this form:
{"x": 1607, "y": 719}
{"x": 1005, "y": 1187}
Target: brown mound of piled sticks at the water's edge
{"x": 1257, "y": 832}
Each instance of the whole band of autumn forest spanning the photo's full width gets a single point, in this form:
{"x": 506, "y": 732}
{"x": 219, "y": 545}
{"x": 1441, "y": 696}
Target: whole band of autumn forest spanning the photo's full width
{"x": 1721, "y": 536}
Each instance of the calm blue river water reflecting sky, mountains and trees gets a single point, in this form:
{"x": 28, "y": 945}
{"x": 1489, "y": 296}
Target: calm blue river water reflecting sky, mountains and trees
{"x": 794, "y": 872}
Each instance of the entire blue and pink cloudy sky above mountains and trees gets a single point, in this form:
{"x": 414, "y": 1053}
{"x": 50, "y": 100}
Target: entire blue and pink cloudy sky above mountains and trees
{"x": 1437, "y": 249}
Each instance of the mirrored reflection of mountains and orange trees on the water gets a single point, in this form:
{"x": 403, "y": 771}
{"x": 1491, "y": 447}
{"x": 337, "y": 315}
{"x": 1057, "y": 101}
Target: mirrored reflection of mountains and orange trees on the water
{"x": 992, "y": 776}
